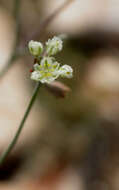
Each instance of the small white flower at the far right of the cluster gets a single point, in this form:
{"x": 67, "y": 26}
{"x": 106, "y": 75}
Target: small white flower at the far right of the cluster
{"x": 66, "y": 71}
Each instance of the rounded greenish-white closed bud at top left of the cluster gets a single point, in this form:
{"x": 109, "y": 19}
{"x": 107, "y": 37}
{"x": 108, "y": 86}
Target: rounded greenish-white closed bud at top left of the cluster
{"x": 35, "y": 48}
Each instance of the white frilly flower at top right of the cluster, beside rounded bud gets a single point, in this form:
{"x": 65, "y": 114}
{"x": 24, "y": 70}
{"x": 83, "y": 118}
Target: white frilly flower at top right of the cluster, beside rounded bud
{"x": 53, "y": 46}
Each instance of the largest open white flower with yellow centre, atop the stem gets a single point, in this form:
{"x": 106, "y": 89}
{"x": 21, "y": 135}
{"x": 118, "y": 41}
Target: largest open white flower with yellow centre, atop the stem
{"x": 47, "y": 71}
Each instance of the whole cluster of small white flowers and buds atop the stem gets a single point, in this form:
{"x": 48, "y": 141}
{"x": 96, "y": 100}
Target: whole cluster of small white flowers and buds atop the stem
{"x": 47, "y": 69}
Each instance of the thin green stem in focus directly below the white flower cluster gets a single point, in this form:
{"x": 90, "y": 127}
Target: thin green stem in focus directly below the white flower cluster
{"x": 14, "y": 141}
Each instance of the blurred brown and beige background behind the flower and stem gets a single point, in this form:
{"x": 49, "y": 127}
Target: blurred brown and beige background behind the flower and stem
{"x": 69, "y": 143}
